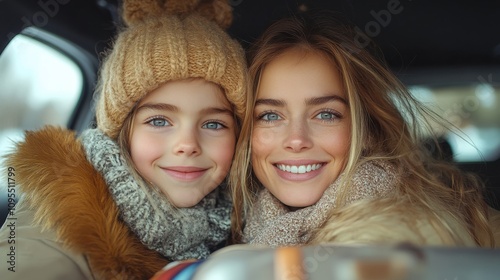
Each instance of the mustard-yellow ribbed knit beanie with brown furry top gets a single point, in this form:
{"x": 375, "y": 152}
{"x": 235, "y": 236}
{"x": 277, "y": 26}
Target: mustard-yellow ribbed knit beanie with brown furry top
{"x": 168, "y": 40}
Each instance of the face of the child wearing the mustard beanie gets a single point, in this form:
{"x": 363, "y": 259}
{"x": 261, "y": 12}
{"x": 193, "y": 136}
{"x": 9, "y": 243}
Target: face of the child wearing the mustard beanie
{"x": 183, "y": 139}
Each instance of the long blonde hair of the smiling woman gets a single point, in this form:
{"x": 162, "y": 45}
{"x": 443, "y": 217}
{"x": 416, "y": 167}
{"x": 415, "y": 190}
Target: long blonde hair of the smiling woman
{"x": 388, "y": 123}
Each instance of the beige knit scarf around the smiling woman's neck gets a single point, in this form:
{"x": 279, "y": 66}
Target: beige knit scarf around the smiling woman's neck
{"x": 272, "y": 223}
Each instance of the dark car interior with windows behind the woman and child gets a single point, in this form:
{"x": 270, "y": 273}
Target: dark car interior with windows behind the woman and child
{"x": 447, "y": 52}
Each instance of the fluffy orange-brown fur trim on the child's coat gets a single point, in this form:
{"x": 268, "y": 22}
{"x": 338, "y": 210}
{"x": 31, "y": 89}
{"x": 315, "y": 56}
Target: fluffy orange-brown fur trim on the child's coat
{"x": 70, "y": 196}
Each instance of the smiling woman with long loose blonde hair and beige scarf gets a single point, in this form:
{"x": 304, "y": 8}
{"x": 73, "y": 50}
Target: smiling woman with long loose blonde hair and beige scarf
{"x": 331, "y": 151}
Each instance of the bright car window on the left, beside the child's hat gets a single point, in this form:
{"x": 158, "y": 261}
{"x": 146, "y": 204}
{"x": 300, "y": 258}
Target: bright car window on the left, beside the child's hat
{"x": 38, "y": 85}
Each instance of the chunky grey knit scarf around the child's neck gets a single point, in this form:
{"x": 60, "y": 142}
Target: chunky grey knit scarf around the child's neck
{"x": 177, "y": 234}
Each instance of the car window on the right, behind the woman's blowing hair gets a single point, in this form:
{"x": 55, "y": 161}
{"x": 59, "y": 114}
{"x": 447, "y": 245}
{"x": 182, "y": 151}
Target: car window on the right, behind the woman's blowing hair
{"x": 475, "y": 112}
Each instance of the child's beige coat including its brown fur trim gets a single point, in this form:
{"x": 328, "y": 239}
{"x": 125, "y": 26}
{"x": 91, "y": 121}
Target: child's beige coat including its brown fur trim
{"x": 63, "y": 193}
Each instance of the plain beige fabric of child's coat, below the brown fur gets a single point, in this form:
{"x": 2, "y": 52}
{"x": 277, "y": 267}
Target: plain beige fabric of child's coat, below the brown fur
{"x": 35, "y": 254}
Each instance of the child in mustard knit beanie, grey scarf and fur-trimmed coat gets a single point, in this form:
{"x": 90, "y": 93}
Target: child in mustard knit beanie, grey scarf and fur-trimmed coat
{"x": 147, "y": 185}
